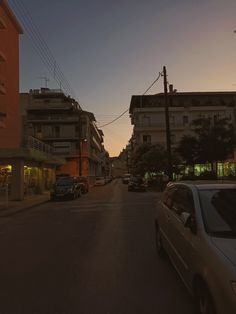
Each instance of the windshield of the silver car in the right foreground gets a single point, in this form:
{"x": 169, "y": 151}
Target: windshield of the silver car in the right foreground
{"x": 219, "y": 211}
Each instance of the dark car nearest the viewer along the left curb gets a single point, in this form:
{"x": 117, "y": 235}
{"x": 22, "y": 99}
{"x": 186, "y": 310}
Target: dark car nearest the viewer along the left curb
{"x": 66, "y": 188}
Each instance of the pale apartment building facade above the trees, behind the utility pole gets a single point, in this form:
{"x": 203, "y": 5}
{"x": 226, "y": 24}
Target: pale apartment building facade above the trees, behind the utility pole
{"x": 148, "y": 114}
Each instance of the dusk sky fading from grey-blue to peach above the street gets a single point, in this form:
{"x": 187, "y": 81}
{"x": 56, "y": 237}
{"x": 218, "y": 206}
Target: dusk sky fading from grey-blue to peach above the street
{"x": 111, "y": 50}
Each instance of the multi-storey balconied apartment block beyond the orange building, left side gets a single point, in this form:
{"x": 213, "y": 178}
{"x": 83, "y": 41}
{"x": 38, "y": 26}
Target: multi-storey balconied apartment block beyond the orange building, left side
{"x": 57, "y": 120}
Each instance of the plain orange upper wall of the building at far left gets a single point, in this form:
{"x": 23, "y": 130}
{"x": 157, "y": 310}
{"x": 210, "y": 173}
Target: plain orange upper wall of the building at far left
{"x": 10, "y": 134}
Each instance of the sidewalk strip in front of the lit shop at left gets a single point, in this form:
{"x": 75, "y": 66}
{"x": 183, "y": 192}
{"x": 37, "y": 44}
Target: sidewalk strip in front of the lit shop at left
{"x": 18, "y": 206}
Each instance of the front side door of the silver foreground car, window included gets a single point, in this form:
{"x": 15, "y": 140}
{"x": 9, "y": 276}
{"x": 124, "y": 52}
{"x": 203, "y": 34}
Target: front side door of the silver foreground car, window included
{"x": 182, "y": 238}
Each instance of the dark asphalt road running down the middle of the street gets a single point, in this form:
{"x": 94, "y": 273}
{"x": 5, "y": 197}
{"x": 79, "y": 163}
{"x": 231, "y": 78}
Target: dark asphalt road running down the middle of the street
{"x": 89, "y": 256}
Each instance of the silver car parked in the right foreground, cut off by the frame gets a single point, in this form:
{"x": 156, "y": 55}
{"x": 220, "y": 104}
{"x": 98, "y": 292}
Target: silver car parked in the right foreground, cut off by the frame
{"x": 196, "y": 228}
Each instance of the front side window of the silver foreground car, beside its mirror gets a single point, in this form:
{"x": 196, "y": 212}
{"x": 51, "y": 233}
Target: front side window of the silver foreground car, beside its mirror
{"x": 183, "y": 200}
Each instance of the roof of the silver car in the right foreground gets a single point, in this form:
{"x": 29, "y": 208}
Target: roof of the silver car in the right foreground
{"x": 207, "y": 185}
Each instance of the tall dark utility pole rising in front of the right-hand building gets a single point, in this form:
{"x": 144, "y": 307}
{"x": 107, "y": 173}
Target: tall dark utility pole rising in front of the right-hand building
{"x": 167, "y": 119}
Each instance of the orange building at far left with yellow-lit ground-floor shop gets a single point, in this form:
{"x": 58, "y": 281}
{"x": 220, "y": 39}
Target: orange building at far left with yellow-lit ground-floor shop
{"x": 26, "y": 164}
